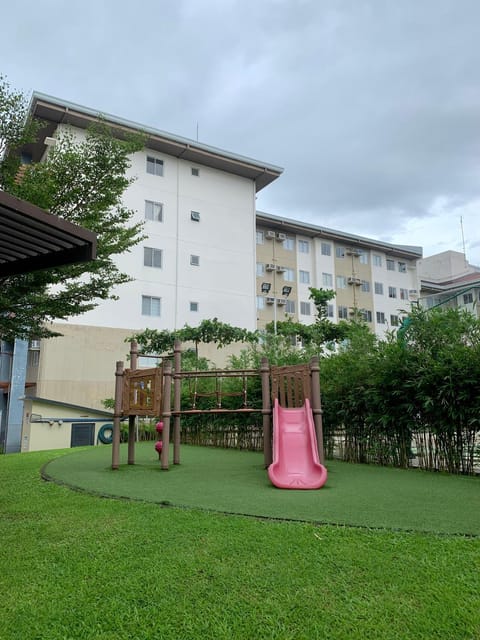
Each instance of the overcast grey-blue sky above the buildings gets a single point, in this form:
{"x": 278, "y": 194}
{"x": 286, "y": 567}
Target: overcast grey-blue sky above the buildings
{"x": 372, "y": 107}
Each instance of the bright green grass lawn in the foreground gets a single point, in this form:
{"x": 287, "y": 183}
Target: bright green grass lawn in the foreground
{"x": 77, "y": 566}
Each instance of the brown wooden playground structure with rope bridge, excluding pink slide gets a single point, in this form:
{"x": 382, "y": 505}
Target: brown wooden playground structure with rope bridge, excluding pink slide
{"x": 156, "y": 392}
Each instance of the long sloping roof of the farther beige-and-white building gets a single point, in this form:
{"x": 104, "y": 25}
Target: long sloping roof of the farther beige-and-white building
{"x": 314, "y": 231}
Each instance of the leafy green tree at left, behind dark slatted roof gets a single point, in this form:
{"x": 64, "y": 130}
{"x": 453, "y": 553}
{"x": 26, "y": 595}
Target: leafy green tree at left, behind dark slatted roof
{"x": 80, "y": 181}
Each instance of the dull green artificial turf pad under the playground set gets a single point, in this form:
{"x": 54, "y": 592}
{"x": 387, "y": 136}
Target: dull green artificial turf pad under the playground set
{"x": 233, "y": 481}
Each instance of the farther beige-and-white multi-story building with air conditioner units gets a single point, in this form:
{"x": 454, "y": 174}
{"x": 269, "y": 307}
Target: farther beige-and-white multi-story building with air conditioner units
{"x": 376, "y": 279}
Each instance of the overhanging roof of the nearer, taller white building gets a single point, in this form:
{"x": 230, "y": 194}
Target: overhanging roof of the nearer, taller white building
{"x": 54, "y": 111}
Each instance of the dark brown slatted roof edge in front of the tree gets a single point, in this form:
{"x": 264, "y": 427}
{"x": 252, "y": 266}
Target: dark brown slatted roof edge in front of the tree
{"x": 33, "y": 239}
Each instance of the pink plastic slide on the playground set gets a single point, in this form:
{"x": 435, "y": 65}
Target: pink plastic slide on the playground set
{"x": 295, "y": 455}
